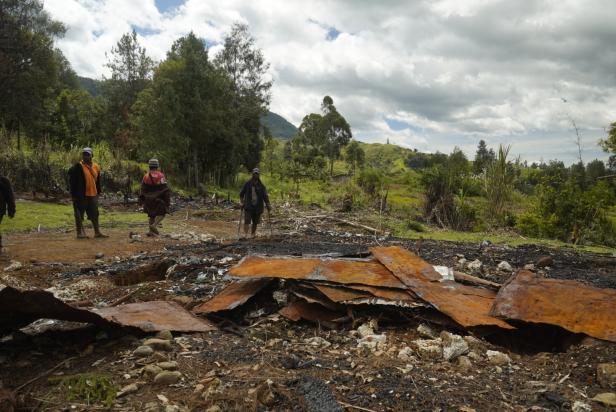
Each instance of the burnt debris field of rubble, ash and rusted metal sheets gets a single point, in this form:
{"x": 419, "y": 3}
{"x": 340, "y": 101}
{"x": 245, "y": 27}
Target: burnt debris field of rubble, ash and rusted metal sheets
{"x": 312, "y": 318}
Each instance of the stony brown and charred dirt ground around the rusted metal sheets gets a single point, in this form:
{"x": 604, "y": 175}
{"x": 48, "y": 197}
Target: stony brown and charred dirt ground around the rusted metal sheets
{"x": 258, "y": 360}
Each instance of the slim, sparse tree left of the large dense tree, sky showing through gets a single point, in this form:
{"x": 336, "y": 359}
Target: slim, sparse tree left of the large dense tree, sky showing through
{"x": 131, "y": 72}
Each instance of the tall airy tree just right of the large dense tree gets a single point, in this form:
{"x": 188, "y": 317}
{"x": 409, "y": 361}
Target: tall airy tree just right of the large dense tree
{"x": 247, "y": 68}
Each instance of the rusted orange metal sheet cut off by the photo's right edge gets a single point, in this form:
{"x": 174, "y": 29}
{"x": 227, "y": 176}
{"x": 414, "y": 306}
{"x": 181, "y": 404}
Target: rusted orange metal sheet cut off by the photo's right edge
{"x": 571, "y": 305}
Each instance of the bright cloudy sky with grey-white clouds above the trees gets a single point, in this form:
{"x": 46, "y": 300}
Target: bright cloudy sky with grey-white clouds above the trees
{"x": 426, "y": 74}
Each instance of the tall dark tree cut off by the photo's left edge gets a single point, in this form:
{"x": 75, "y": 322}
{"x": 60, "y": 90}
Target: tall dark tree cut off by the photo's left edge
{"x": 30, "y": 67}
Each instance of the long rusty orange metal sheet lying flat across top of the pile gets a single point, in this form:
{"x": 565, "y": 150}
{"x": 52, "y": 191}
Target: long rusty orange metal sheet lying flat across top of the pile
{"x": 363, "y": 272}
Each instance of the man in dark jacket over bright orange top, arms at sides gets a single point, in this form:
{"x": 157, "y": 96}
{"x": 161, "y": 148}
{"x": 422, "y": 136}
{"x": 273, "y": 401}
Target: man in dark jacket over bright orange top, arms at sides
{"x": 84, "y": 180}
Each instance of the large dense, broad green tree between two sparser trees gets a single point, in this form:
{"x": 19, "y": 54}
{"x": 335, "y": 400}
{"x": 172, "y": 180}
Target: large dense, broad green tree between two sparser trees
{"x": 188, "y": 116}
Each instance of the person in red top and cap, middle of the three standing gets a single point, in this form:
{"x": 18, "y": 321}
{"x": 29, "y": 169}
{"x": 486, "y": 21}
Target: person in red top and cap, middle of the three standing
{"x": 155, "y": 196}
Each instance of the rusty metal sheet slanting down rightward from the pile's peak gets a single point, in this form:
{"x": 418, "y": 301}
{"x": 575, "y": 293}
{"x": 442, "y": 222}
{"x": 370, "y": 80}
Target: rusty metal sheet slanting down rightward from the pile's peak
{"x": 469, "y": 306}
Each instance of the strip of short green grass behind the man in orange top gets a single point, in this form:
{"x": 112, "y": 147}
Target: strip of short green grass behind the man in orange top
{"x": 55, "y": 216}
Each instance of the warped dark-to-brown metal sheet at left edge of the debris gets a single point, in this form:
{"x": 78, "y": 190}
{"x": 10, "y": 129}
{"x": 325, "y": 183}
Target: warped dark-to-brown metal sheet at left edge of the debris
{"x": 20, "y": 308}
